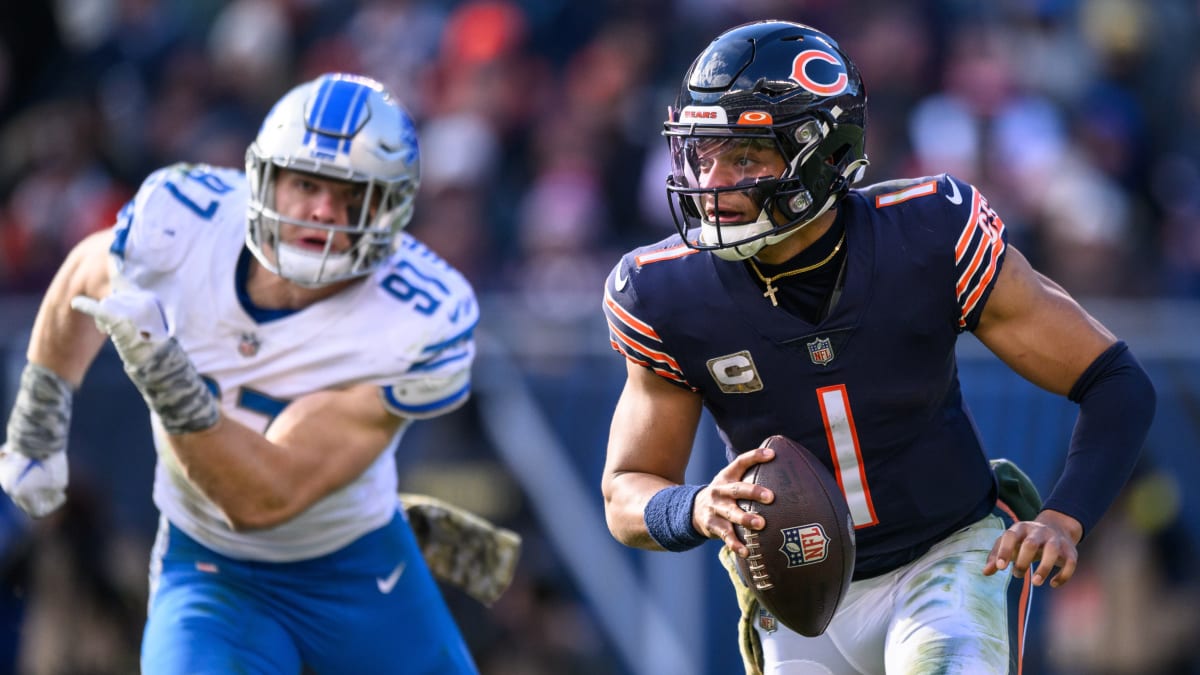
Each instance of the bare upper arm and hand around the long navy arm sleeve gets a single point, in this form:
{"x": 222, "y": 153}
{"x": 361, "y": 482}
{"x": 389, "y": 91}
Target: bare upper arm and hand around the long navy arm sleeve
{"x": 1043, "y": 334}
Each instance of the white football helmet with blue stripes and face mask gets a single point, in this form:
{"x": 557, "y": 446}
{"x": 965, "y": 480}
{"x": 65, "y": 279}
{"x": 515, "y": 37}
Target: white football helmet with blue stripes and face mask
{"x": 344, "y": 128}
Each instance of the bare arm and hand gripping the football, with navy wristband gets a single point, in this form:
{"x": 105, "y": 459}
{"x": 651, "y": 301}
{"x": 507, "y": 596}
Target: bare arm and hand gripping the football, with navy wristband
{"x": 650, "y": 444}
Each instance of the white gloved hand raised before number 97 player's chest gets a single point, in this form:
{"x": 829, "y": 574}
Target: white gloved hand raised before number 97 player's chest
{"x": 133, "y": 318}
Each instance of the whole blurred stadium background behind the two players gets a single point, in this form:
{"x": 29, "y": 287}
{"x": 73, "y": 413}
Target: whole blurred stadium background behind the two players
{"x": 542, "y": 158}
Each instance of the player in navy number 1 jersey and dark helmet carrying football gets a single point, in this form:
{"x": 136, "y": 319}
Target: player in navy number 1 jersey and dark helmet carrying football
{"x": 791, "y": 304}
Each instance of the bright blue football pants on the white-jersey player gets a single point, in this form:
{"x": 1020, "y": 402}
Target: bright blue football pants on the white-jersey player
{"x": 371, "y": 607}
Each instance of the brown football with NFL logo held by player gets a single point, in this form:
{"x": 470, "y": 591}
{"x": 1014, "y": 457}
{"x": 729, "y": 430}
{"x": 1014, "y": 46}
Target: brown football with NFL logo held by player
{"x": 800, "y": 565}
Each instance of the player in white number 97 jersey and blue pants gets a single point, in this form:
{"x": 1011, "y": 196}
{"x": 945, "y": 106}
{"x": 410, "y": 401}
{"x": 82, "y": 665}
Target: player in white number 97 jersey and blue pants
{"x": 284, "y": 331}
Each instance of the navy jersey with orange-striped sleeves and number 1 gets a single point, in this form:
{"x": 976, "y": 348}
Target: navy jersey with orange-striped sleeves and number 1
{"x": 872, "y": 390}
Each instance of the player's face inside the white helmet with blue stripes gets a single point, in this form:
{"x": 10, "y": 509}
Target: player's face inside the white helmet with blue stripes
{"x": 304, "y": 196}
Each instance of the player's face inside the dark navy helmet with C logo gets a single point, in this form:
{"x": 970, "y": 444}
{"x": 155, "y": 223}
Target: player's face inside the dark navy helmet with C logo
{"x": 731, "y": 163}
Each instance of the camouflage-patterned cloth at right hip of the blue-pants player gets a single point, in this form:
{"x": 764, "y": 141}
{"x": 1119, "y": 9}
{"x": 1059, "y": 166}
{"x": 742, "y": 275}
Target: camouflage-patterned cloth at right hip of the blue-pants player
{"x": 464, "y": 549}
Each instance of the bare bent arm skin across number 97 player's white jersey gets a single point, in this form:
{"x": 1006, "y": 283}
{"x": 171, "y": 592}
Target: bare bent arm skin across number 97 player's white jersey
{"x": 320, "y": 444}
